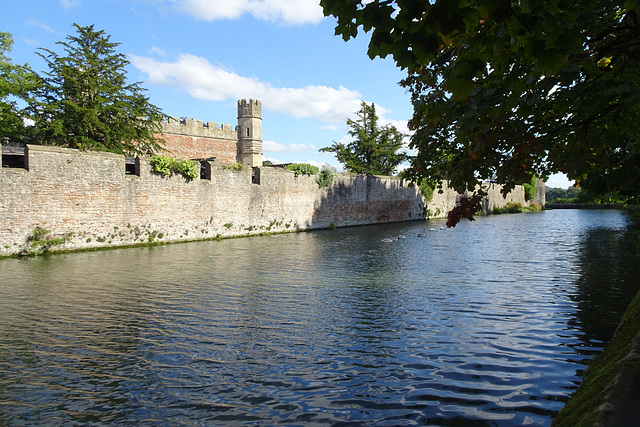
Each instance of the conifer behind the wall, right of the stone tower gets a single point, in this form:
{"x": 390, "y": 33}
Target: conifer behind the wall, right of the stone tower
{"x": 374, "y": 150}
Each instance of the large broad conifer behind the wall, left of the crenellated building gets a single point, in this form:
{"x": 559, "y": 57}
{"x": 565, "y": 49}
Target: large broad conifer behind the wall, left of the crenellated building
{"x": 86, "y": 102}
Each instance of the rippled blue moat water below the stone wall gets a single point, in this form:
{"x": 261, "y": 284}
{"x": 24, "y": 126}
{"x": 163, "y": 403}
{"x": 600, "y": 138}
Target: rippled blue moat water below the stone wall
{"x": 490, "y": 323}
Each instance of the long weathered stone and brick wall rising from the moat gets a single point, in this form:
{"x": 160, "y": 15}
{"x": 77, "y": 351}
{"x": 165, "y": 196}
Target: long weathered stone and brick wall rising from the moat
{"x": 82, "y": 200}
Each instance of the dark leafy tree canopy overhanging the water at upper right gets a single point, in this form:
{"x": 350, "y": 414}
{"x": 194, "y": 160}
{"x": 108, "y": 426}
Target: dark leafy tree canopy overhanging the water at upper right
{"x": 504, "y": 90}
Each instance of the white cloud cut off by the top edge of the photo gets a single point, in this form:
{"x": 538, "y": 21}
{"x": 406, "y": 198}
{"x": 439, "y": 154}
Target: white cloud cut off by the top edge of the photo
{"x": 288, "y": 12}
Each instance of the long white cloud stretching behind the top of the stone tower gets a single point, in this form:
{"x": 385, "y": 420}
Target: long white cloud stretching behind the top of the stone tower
{"x": 205, "y": 81}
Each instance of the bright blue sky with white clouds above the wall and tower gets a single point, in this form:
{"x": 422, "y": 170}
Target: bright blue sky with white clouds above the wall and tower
{"x": 196, "y": 58}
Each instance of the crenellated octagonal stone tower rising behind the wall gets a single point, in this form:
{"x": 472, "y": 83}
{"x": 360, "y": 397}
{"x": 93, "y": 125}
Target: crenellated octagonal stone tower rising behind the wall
{"x": 250, "y": 132}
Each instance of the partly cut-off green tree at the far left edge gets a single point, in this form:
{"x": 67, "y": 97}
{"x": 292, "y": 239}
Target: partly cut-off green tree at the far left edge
{"x": 16, "y": 83}
